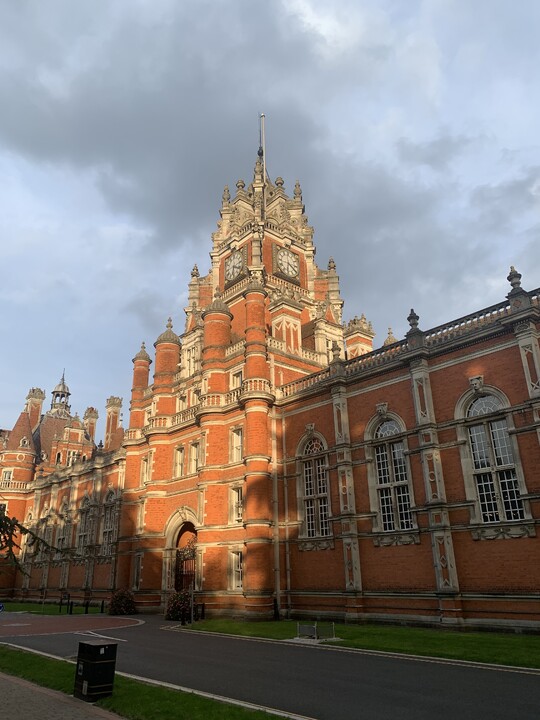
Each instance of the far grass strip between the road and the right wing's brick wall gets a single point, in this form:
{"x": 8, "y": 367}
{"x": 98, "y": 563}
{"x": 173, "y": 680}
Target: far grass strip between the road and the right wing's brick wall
{"x": 499, "y": 648}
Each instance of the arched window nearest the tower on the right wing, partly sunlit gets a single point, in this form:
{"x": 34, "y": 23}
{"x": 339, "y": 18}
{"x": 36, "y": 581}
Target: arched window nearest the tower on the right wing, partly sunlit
{"x": 315, "y": 499}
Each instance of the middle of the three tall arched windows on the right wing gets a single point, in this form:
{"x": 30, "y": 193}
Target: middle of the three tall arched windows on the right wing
{"x": 393, "y": 491}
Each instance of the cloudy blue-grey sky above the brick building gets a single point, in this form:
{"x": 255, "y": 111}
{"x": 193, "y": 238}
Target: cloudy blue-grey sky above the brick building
{"x": 412, "y": 127}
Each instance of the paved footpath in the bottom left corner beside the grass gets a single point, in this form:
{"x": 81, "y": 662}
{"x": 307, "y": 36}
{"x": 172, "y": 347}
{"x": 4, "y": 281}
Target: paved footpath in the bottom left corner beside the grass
{"x": 21, "y": 698}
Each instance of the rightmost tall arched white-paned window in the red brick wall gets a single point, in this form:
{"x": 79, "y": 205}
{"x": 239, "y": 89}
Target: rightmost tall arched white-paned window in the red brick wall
{"x": 494, "y": 465}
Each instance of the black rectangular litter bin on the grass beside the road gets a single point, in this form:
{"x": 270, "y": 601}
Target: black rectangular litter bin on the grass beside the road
{"x": 94, "y": 674}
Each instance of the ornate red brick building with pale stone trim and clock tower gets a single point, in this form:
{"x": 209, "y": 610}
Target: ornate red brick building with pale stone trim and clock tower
{"x": 311, "y": 474}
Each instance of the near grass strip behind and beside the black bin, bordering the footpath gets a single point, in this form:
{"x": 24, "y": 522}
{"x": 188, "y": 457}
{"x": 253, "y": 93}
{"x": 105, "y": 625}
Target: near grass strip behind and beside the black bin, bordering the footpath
{"x": 131, "y": 699}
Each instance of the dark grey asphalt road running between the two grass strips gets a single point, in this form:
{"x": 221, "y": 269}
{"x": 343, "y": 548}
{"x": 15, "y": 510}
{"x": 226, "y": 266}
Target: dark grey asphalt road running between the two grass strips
{"x": 314, "y": 681}
